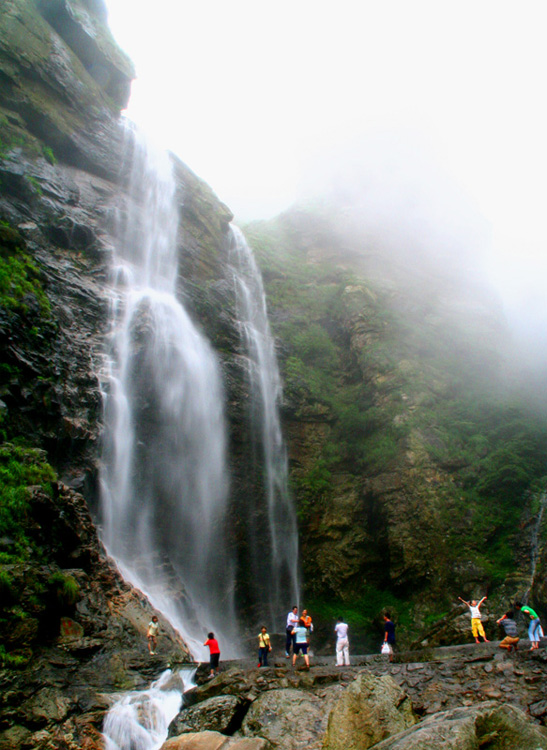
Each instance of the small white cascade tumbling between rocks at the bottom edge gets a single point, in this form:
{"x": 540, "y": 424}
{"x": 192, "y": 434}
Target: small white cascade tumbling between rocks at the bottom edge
{"x": 140, "y": 720}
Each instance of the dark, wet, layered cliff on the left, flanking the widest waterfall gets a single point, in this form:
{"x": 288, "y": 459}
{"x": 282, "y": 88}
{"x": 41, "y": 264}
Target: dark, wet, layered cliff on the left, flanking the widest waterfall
{"x": 72, "y": 630}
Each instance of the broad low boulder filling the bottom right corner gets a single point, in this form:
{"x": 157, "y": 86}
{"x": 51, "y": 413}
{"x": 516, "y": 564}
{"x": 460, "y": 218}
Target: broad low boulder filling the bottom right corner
{"x": 497, "y": 727}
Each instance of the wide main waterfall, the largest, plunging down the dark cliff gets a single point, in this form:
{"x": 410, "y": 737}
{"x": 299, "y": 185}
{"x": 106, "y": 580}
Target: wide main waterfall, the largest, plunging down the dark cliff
{"x": 164, "y": 487}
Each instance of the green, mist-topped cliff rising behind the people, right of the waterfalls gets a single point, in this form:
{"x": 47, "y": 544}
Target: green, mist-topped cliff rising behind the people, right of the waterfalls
{"x": 415, "y": 462}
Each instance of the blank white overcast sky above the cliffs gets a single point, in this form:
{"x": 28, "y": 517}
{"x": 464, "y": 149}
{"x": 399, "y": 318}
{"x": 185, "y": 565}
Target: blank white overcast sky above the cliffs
{"x": 253, "y": 96}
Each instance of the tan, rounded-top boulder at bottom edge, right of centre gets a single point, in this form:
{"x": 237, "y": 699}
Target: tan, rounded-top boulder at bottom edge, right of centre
{"x": 369, "y": 710}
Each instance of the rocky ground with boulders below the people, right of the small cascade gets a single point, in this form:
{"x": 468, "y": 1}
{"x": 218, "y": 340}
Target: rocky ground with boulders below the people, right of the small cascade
{"x": 460, "y": 697}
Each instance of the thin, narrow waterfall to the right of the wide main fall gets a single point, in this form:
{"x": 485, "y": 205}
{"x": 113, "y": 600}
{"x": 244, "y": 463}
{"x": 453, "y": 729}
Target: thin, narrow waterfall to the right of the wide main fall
{"x": 273, "y": 539}
